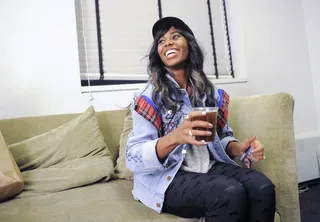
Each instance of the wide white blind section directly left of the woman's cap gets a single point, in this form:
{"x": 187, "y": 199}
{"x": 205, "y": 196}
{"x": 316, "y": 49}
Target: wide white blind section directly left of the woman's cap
{"x": 126, "y": 37}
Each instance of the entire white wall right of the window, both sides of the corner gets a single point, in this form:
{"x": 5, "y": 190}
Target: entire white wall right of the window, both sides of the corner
{"x": 281, "y": 49}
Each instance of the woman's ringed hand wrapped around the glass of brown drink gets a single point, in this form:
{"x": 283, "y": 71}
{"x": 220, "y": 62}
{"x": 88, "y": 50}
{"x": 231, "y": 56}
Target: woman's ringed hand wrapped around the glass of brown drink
{"x": 185, "y": 133}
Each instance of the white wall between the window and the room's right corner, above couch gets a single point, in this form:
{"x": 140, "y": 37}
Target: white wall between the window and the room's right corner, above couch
{"x": 276, "y": 54}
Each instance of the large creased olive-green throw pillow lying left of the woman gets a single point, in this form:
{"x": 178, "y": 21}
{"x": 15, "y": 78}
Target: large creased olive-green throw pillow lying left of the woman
{"x": 71, "y": 155}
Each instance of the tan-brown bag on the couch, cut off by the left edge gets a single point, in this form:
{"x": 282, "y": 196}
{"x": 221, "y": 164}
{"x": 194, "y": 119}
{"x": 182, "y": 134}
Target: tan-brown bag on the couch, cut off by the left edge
{"x": 11, "y": 180}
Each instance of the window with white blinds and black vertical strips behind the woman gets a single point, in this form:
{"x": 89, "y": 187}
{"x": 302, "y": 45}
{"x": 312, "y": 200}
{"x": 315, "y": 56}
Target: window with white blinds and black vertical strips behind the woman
{"x": 114, "y": 37}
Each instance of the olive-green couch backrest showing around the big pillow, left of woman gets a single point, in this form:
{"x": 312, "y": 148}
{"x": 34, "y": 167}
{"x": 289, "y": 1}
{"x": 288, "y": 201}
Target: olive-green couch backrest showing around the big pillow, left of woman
{"x": 19, "y": 129}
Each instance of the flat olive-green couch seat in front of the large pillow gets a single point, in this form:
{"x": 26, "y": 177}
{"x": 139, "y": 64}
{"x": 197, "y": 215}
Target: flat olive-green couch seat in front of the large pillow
{"x": 110, "y": 201}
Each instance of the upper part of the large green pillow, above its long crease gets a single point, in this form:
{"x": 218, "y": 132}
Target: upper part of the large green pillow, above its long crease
{"x": 78, "y": 138}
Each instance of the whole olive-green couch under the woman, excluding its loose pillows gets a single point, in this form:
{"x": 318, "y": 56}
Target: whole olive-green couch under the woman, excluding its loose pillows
{"x": 269, "y": 117}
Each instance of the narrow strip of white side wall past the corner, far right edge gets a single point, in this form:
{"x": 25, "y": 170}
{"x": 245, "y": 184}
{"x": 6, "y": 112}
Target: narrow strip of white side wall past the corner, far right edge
{"x": 307, "y": 161}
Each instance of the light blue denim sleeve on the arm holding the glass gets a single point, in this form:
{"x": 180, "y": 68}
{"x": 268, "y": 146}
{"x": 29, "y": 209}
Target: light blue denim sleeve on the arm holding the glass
{"x": 141, "y": 156}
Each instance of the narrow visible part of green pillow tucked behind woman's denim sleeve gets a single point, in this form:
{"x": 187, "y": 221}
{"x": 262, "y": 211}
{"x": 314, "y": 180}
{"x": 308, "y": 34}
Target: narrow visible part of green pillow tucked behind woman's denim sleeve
{"x": 120, "y": 170}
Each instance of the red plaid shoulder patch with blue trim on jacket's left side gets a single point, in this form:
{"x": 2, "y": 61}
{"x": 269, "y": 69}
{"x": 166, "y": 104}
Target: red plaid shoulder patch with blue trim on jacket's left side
{"x": 147, "y": 109}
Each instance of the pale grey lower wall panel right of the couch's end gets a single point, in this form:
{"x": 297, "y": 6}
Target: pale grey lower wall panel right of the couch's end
{"x": 307, "y": 151}
